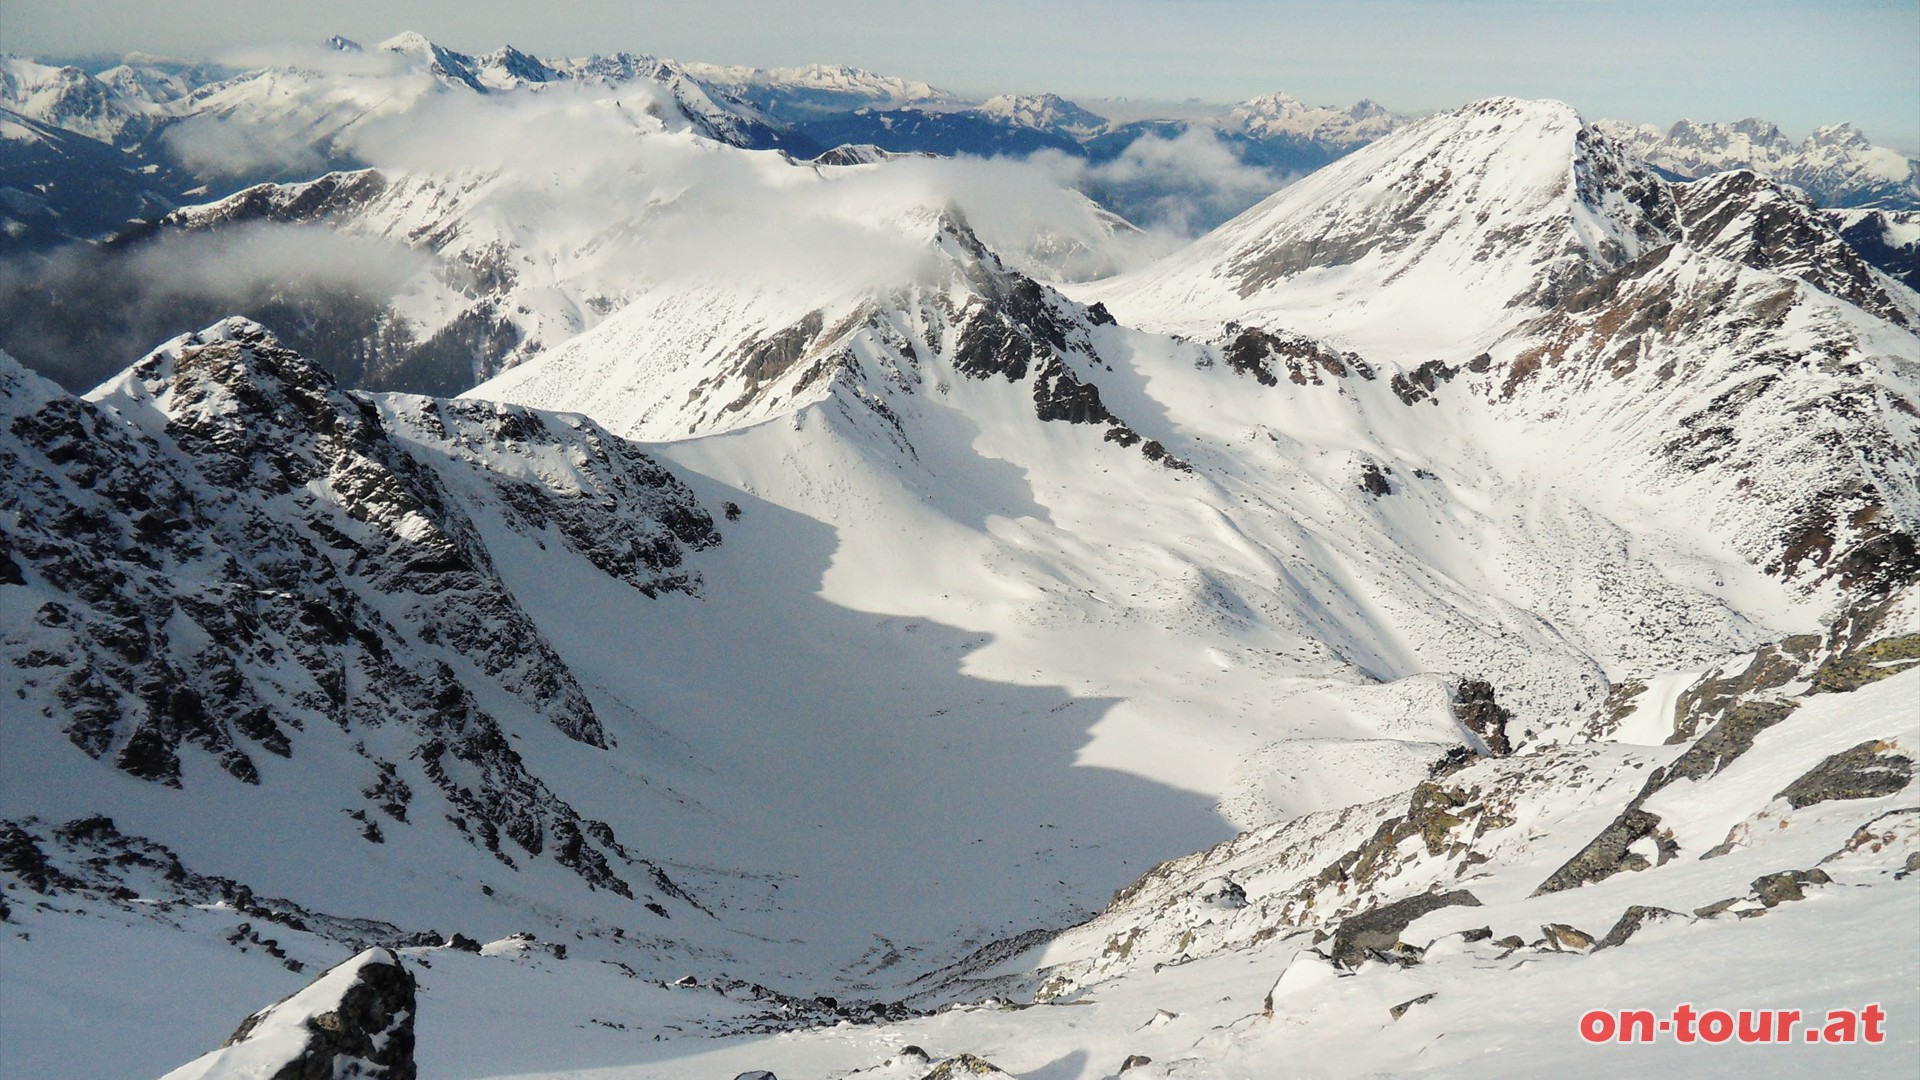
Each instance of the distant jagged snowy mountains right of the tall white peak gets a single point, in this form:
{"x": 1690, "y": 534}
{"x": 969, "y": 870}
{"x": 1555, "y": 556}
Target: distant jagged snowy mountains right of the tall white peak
{"x": 1838, "y": 166}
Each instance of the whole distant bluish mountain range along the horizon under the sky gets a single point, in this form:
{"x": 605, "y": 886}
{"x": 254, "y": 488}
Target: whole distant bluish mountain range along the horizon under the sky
{"x": 295, "y": 120}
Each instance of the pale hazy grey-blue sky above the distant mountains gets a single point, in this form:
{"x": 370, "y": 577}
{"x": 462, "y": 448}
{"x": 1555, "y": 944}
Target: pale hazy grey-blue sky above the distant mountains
{"x": 1796, "y": 62}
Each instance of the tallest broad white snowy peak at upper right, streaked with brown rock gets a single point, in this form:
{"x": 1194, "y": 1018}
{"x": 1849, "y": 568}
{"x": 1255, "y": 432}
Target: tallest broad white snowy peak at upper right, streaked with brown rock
{"x": 1433, "y": 237}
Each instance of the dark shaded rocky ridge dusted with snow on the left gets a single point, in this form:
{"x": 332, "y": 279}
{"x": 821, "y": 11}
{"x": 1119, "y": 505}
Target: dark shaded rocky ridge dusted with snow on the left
{"x": 229, "y": 556}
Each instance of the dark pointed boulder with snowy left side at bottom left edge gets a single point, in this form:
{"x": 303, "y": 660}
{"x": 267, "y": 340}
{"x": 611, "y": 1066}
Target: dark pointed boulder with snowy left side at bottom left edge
{"x": 352, "y": 1021}
